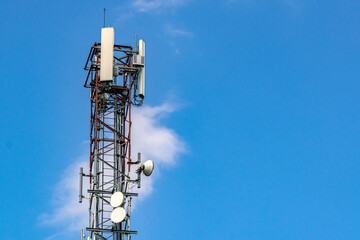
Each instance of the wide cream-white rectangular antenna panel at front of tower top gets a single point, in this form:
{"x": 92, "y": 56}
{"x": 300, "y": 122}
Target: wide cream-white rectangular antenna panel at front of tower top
{"x": 107, "y": 54}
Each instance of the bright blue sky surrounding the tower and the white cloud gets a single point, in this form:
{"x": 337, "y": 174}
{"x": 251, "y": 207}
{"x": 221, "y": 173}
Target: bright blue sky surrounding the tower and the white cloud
{"x": 264, "y": 97}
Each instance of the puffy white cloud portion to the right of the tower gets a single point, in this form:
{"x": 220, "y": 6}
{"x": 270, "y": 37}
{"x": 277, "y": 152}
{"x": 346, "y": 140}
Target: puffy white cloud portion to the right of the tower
{"x": 156, "y": 142}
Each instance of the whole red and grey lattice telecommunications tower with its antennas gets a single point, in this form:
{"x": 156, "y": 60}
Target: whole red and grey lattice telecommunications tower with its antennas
{"x": 116, "y": 79}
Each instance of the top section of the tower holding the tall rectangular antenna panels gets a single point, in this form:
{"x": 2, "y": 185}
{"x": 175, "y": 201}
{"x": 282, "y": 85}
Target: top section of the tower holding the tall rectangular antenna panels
{"x": 109, "y": 62}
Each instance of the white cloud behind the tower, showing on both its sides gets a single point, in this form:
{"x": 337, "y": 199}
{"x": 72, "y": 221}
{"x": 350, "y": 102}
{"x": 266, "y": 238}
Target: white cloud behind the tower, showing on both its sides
{"x": 154, "y": 140}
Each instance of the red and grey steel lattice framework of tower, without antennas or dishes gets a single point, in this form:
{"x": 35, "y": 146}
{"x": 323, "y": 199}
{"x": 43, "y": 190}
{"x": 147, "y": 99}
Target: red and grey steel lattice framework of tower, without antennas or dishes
{"x": 110, "y": 140}
